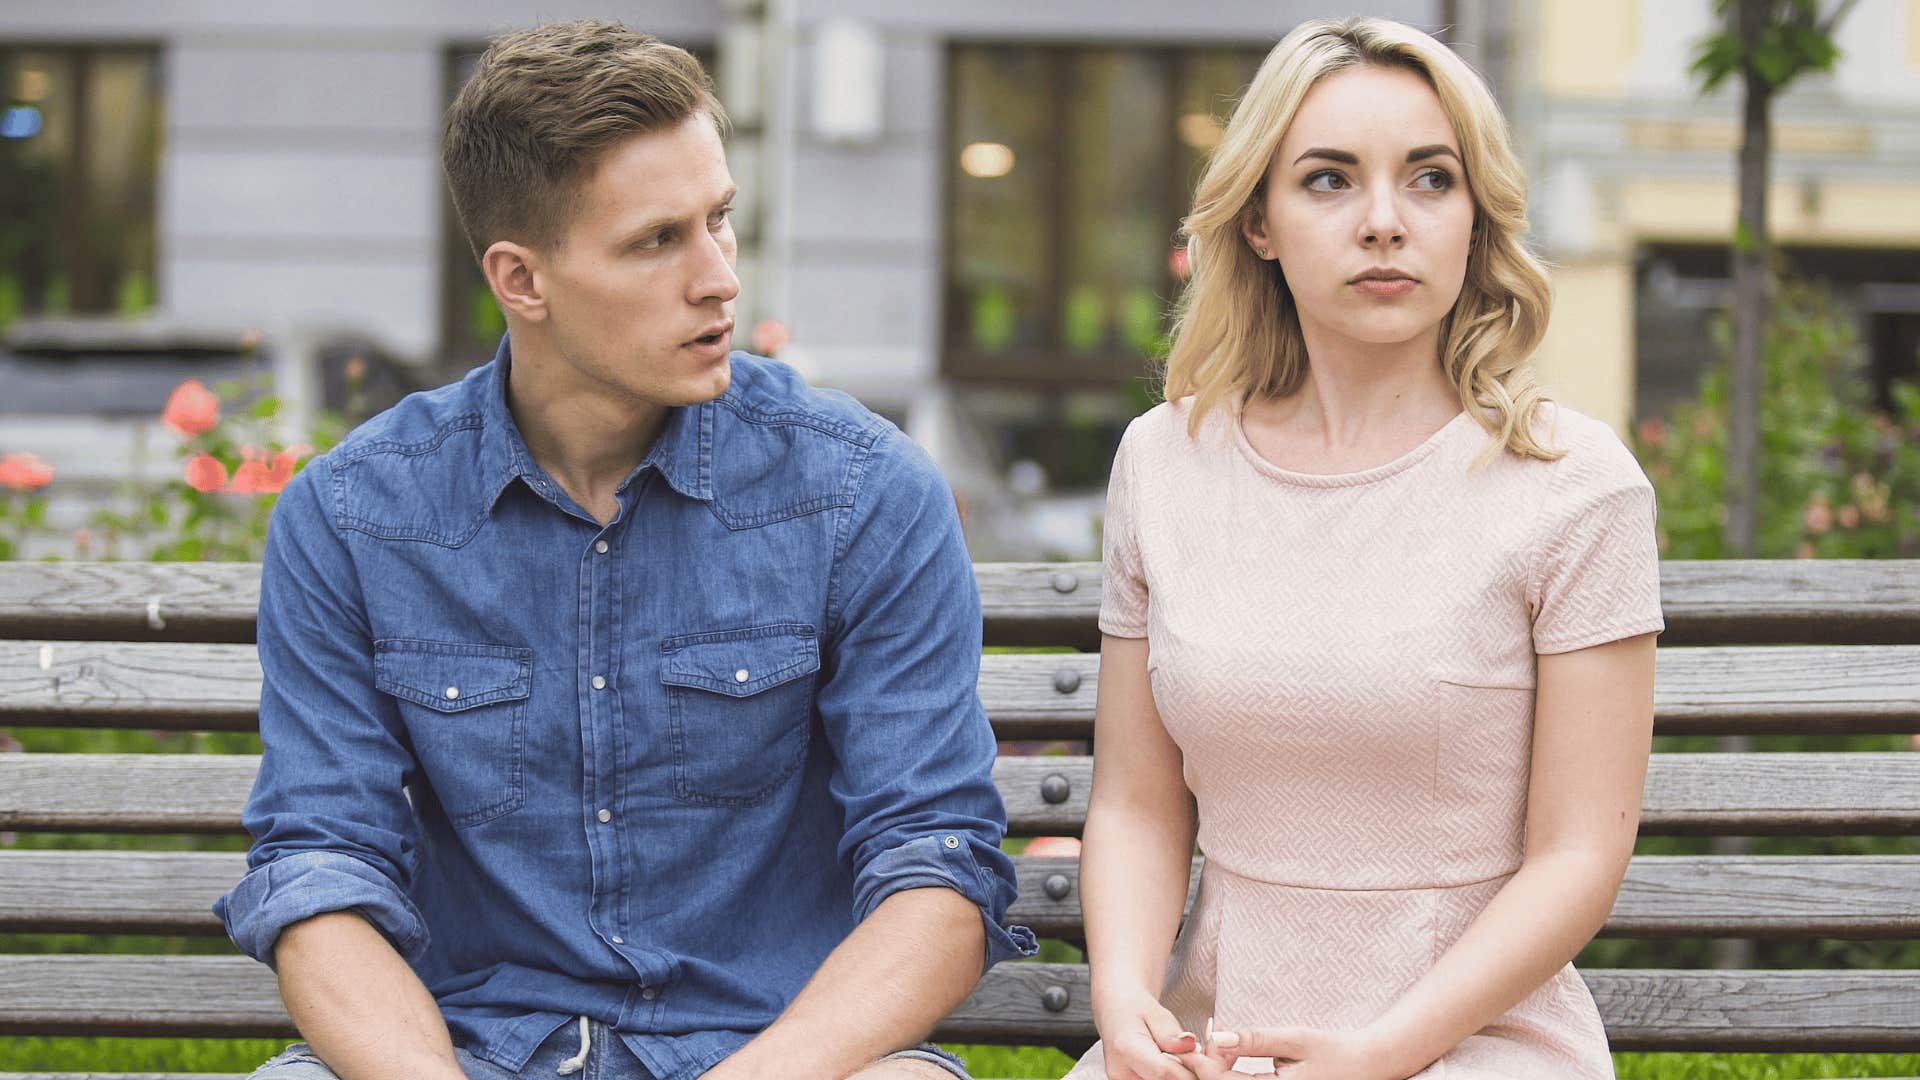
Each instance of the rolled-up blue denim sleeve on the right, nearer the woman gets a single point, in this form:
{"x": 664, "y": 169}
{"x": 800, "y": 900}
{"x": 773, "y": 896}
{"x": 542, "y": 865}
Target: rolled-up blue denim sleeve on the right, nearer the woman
{"x": 900, "y": 700}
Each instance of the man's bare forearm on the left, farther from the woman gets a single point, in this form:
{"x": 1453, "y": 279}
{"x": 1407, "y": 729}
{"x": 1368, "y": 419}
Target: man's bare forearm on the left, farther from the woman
{"x": 358, "y": 1004}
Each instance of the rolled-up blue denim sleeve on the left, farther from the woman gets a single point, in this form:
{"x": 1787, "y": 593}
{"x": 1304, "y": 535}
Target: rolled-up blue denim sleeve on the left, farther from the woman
{"x": 331, "y": 823}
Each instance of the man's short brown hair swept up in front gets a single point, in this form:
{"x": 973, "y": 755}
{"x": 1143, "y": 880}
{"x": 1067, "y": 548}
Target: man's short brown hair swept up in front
{"x": 544, "y": 109}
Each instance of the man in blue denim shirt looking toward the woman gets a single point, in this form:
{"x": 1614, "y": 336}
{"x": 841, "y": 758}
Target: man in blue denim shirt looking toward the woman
{"x": 621, "y": 699}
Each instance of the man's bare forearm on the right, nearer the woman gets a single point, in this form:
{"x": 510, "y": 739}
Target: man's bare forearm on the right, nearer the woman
{"x": 884, "y": 989}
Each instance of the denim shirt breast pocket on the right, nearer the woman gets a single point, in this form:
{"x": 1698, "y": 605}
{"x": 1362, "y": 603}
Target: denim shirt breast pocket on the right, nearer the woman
{"x": 740, "y": 706}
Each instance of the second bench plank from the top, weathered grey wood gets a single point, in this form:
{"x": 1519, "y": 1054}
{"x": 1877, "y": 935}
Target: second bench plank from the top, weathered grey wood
{"x": 1698, "y": 691}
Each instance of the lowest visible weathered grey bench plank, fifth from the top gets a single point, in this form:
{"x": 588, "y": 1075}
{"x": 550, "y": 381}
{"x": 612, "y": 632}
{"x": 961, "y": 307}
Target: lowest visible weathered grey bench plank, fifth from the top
{"x": 1024, "y": 1002}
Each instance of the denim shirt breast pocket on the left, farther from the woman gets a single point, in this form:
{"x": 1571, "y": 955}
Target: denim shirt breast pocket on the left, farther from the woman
{"x": 466, "y": 710}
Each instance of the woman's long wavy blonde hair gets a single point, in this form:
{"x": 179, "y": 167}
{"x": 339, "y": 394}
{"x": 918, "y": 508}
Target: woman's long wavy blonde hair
{"x": 1237, "y": 331}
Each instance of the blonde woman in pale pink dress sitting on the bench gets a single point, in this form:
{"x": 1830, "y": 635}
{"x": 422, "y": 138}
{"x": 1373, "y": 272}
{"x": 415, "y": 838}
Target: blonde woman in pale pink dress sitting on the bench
{"x": 1378, "y": 622}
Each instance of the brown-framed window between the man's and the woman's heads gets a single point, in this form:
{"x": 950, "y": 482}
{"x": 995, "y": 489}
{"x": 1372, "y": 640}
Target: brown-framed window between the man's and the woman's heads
{"x": 1068, "y": 174}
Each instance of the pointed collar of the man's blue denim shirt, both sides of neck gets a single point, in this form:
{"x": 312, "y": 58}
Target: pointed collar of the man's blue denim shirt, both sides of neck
{"x": 683, "y": 454}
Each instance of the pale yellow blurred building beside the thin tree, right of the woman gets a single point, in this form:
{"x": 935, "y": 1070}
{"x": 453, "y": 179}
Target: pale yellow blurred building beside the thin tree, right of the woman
{"x": 1635, "y": 187}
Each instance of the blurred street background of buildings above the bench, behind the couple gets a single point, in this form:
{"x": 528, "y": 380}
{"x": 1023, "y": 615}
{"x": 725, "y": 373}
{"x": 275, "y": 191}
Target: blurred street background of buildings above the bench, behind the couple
{"x": 961, "y": 212}
